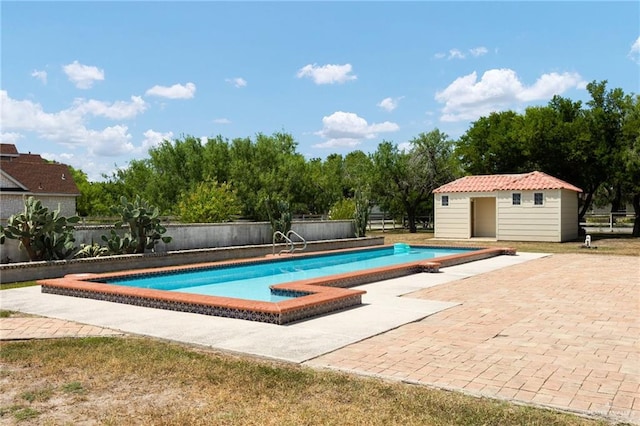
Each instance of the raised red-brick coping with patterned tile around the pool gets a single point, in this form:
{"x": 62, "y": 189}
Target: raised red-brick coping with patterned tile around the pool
{"x": 323, "y": 295}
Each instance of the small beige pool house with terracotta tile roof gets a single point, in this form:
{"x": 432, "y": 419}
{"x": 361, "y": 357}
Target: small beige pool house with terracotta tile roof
{"x": 511, "y": 207}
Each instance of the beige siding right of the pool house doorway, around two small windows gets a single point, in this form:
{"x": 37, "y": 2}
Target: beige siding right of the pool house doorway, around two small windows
{"x": 528, "y": 222}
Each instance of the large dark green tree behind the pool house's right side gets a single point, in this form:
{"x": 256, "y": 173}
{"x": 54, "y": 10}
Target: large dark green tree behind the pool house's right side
{"x": 582, "y": 146}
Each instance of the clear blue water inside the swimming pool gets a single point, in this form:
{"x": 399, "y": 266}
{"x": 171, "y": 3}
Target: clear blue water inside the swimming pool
{"x": 252, "y": 281}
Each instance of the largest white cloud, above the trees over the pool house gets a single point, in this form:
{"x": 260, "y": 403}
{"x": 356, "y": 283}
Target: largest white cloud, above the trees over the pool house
{"x": 466, "y": 98}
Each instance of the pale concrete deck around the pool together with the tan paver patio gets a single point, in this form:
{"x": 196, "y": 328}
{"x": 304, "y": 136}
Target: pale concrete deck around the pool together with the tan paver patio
{"x": 558, "y": 331}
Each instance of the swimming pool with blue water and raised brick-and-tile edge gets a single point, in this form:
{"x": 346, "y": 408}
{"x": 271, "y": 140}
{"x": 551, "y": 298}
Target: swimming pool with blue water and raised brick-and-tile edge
{"x": 306, "y": 285}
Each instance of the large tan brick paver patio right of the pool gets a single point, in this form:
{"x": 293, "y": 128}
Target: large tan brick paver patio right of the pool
{"x": 561, "y": 331}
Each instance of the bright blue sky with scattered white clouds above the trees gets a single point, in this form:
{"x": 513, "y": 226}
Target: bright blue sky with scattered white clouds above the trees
{"x": 97, "y": 84}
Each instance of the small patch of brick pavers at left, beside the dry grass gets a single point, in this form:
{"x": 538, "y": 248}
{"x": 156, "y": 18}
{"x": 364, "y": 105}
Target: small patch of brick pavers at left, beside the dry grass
{"x": 29, "y": 327}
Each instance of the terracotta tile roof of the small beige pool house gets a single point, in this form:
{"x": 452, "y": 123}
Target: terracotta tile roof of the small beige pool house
{"x": 513, "y": 182}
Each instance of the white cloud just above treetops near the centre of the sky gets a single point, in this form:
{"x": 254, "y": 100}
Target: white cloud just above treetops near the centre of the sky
{"x": 346, "y": 129}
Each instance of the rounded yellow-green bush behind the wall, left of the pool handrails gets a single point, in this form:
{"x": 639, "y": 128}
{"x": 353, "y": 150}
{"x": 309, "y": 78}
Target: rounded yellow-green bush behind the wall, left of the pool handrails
{"x": 209, "y": 202}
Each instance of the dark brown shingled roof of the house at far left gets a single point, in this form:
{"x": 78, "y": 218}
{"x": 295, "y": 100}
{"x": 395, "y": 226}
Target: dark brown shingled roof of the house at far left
{"x": 31, "y": 173}
